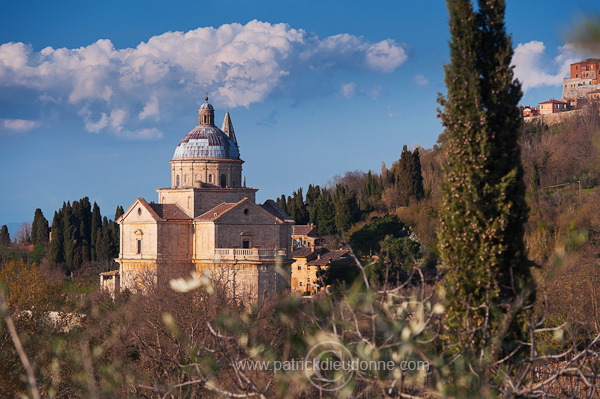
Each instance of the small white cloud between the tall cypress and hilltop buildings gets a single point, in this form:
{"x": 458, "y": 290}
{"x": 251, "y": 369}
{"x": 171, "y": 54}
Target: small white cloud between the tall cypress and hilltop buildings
{"x": 534, "y": 69}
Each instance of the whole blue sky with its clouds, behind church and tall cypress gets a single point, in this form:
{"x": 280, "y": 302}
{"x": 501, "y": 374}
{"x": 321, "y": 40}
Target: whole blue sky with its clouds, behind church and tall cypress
{"x": 95, "y": 96}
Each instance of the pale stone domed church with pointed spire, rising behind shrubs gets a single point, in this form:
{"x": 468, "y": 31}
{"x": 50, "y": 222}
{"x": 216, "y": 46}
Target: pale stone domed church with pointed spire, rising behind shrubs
{"x": 206, "y": 220}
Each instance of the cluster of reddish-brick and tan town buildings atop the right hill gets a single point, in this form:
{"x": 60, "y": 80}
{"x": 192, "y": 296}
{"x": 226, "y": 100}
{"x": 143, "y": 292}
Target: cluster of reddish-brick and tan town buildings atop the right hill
{"x": 580, "y": 89}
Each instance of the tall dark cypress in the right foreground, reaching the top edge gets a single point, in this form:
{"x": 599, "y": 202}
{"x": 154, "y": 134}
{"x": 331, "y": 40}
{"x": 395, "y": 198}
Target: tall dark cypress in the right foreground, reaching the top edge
{"x": 488, "y": 279}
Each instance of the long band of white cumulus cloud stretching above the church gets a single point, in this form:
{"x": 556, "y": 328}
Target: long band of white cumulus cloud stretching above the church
{"x": 121, "y": 91}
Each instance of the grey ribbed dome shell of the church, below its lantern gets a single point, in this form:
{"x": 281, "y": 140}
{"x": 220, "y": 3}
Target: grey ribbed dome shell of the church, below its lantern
{"x": 206, "y": 141}
